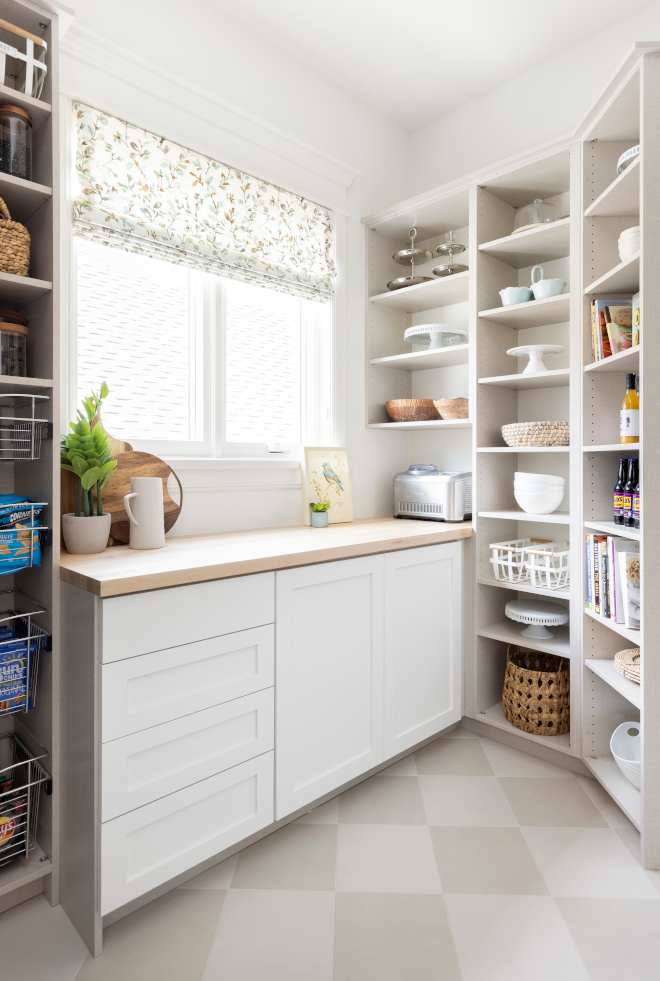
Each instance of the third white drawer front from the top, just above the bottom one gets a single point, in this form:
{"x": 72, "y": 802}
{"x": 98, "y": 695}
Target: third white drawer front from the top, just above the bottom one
{"x": 141, "y": 768}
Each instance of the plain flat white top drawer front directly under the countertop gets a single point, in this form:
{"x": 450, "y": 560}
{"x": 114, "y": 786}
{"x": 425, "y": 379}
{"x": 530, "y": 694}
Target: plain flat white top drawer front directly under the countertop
{"x": 153, "y": 621}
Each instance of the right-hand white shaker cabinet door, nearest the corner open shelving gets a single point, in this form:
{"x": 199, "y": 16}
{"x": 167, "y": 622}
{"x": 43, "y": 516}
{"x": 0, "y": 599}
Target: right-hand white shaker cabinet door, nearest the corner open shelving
{"x": 422, "y": 643}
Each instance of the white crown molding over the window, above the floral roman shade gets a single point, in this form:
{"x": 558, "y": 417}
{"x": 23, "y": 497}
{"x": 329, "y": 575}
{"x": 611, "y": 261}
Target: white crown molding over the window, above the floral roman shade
{"x": 89, "y": 48}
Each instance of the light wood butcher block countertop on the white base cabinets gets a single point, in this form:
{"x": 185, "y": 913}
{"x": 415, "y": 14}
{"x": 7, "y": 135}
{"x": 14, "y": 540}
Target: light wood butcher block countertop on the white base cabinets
{"x": 200, "y": 558}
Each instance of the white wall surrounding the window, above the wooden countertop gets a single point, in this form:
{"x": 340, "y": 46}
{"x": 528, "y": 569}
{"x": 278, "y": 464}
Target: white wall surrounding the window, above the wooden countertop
{"x": 231, "y": 66}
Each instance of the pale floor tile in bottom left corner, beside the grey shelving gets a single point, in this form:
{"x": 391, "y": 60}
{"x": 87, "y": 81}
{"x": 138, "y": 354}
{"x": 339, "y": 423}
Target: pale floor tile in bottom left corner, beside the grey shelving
{"x": 38, "y": 942}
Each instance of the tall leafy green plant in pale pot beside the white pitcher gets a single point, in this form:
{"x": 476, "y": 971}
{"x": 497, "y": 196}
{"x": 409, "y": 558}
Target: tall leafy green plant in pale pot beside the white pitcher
{"x": 86, "y": 452}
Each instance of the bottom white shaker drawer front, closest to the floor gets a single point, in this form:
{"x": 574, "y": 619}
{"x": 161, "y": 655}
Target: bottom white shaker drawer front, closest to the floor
{"x": 148, "y": 846}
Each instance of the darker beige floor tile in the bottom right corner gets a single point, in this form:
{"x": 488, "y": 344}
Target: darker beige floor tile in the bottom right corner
{"x": 618, "y": 939}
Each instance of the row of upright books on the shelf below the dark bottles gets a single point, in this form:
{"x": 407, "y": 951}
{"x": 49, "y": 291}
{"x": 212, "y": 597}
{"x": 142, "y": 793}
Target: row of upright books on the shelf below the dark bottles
{"x": 613, "y": 578}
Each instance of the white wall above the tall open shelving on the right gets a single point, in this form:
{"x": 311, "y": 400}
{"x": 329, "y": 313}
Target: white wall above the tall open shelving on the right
{"x": 541, "y": 105}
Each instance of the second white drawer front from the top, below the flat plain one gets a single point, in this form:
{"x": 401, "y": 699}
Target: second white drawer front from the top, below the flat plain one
{"x": 146, "y": 691}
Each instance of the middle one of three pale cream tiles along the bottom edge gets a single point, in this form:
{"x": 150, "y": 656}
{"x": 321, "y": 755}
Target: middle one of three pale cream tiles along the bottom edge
{"x": 274, "y": 936}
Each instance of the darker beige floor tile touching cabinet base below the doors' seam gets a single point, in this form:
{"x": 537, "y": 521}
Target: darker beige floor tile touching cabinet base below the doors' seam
{"x": 383, "y": 800}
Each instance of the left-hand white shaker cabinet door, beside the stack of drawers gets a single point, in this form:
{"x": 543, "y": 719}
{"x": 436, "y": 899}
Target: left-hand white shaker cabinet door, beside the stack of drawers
{"x": 329, "y": 677}
